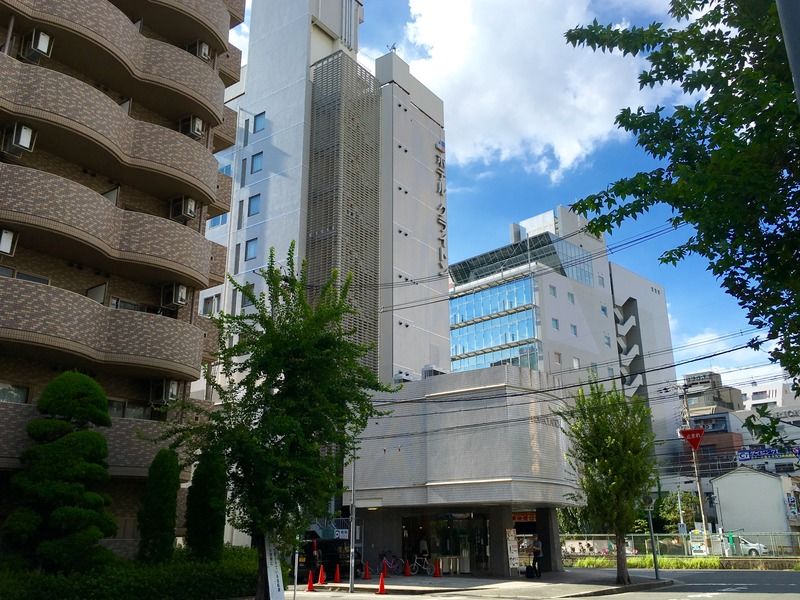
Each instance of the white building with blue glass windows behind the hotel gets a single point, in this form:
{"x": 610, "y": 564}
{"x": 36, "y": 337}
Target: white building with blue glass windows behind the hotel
{"x": 552, "y": 302}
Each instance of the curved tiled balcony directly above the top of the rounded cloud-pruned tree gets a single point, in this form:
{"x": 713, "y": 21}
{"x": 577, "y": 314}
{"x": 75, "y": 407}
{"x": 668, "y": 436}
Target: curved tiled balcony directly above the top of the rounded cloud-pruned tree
{"x": 58, "y": 321}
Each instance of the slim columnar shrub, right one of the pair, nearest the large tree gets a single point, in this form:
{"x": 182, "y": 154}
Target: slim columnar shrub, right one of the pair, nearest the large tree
{"x": 205, "y": 507}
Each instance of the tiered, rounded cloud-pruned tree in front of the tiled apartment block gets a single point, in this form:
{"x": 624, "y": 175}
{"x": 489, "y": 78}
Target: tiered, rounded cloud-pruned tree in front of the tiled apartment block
{"x": 61, "y": 516}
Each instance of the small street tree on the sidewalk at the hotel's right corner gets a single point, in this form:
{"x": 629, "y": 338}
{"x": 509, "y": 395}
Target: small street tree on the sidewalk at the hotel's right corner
{"x": 611, "y": 451}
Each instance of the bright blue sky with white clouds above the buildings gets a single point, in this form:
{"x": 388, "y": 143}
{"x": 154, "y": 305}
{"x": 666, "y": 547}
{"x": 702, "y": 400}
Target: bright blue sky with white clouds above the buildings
{"x": 529, "y": 125}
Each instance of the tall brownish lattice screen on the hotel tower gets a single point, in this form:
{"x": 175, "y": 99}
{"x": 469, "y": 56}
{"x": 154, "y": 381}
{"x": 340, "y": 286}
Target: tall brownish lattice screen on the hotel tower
{"x": 344, "y": 187}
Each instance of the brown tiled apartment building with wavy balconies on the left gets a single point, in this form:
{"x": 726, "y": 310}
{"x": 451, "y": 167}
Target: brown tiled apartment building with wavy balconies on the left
{"x": 110, "y": 112}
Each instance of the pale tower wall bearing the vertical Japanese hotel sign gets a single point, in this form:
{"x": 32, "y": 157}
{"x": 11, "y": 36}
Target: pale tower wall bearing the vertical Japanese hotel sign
{"x": 414, "y": 331}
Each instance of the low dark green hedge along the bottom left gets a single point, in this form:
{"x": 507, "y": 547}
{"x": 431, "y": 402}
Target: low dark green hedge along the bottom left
{"x": 181, "y": 579}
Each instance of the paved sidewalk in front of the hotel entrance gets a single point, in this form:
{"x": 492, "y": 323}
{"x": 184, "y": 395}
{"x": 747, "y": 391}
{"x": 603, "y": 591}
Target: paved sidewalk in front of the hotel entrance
{"x": 573, "y": 583}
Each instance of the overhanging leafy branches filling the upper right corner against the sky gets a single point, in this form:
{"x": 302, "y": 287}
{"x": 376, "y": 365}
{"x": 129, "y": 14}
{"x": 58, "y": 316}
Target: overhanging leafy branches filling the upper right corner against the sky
{"x": 728, "y": 153}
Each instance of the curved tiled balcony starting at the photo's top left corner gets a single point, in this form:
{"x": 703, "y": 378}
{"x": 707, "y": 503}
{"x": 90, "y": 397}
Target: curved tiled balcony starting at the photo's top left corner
{"x": 173, "y": 81}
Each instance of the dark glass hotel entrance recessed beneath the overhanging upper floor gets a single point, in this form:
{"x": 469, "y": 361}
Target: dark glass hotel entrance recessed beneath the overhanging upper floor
{"x": 459, "y": 540}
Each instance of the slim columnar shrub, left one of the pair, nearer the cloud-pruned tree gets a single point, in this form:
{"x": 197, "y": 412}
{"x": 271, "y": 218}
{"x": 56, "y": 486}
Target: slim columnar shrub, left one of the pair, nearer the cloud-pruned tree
{"x": 159, "y": 505}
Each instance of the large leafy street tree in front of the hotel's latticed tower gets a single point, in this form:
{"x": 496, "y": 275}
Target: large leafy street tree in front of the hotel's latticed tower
{"x": 294, "y": 397}
